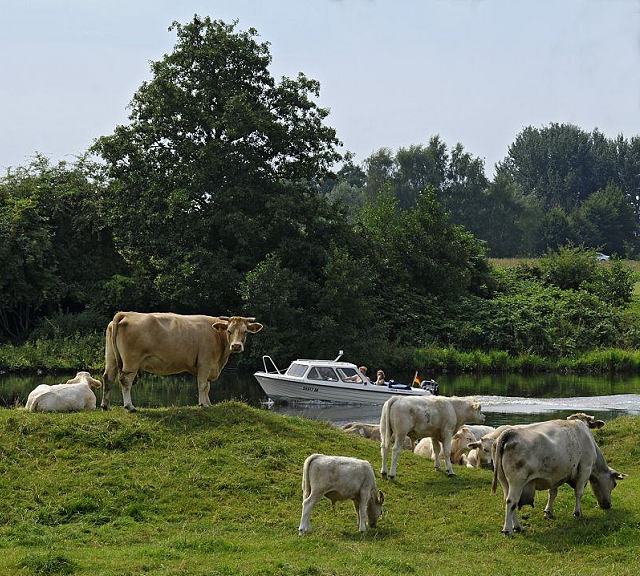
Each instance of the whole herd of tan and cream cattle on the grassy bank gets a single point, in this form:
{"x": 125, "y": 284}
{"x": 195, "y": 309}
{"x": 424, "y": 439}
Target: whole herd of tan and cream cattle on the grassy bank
{"x": 525, "y": 458}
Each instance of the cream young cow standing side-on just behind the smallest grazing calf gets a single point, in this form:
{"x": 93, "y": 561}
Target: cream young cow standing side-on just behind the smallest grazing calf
{"x": 438, "y": 417}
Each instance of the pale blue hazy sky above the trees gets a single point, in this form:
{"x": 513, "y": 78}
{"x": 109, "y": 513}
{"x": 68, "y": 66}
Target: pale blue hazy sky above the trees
{"x": 393, "y": 73}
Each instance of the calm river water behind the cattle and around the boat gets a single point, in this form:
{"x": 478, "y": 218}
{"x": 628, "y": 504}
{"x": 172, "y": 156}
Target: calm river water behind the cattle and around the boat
{"x": 505, "y": 399}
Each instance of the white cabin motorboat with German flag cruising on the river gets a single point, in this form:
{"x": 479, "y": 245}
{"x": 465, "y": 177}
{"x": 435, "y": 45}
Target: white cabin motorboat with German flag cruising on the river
{"x": 330, "y": 381}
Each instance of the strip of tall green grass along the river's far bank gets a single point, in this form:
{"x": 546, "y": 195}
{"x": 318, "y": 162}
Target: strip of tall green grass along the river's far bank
{"x": 87, "y": 353}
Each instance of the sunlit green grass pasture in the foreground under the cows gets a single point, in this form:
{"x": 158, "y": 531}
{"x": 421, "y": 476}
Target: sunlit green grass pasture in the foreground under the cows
{"x": 217, "y": 492}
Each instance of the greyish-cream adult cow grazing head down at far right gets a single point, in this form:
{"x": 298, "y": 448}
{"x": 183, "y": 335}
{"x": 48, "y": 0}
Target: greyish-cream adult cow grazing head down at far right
{"x": 544, "y": 456}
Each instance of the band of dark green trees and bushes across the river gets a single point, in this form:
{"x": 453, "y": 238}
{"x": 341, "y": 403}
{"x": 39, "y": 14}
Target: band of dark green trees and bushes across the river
{"x": 225, "y": 193}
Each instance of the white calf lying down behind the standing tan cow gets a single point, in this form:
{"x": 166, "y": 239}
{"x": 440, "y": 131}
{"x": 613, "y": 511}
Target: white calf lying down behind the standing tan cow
{"x": 75, "y": 394}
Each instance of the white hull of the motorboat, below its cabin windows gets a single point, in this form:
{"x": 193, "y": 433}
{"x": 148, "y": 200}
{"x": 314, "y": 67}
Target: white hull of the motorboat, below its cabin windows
{"x": 279, "y": 388}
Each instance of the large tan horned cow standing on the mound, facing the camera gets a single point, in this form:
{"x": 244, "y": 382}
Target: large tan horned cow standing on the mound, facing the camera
{"x": 166, "y": 343}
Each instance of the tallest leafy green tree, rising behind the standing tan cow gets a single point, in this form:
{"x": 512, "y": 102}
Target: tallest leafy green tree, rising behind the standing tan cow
{"x": 196, "y": 172}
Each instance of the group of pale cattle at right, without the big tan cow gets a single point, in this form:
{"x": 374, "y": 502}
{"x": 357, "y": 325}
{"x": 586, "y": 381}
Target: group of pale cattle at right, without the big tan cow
{"x": 525, "y": 458}
